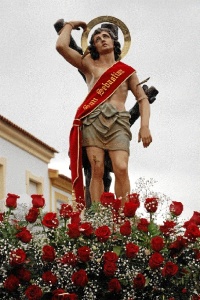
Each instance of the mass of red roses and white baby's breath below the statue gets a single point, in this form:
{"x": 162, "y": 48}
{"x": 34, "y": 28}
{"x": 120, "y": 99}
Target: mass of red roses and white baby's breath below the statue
{"x": 106, "y": 252}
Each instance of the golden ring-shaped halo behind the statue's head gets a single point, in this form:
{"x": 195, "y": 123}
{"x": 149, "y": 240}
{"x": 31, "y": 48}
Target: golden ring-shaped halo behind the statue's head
{"x": 109, "y": 19}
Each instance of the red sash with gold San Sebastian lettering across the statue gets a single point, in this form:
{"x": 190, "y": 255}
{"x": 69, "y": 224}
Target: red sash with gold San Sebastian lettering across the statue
{"x": 102, "y": 90}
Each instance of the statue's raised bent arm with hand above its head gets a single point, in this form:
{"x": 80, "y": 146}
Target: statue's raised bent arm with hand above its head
{"x": 63, "y": 41}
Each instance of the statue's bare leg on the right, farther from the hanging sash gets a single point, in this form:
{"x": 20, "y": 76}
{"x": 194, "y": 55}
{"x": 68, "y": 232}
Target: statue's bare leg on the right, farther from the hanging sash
{"x": 120, "y": 168}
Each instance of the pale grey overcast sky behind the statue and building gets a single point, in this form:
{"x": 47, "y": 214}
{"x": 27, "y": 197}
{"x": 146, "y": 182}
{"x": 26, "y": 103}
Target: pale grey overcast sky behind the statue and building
{"x": 40, "y": 91}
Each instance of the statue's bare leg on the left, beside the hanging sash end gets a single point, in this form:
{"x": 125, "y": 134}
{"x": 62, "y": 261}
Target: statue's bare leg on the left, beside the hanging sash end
{"x": 96, "y": 158}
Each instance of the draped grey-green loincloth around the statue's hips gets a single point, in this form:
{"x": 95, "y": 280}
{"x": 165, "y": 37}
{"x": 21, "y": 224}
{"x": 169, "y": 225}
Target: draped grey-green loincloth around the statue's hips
{"x": 107, "y": 128}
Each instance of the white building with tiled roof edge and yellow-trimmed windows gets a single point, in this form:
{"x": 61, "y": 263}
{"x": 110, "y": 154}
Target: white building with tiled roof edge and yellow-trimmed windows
{"x": 24, "y": 169}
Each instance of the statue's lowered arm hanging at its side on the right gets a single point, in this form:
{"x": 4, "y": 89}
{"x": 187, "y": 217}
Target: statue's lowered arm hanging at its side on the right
{"x": 144, "y": 108}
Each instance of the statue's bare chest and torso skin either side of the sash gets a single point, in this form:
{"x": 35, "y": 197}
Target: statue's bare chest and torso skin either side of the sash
{"x": 118, "y": 99}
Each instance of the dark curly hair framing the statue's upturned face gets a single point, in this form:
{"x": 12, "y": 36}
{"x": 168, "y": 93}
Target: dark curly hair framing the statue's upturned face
{"x": 92, "y": 49}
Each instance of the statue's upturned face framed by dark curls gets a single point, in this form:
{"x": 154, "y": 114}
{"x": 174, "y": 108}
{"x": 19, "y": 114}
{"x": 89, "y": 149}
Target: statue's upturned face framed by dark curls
{"x": 103, "y": 42}
